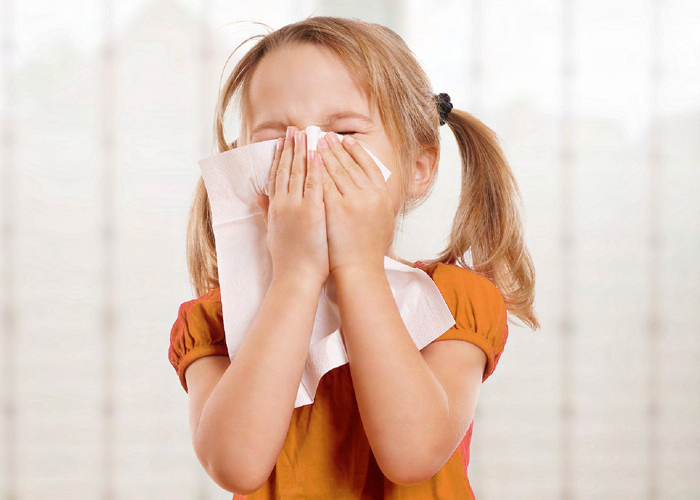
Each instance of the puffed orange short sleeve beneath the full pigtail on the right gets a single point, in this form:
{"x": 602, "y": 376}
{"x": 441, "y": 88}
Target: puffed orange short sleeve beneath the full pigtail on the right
{"x": 478, "y": 308}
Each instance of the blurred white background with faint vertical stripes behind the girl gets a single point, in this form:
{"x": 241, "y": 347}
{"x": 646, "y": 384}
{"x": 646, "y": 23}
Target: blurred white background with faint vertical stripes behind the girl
{"x": 105, "y": 108}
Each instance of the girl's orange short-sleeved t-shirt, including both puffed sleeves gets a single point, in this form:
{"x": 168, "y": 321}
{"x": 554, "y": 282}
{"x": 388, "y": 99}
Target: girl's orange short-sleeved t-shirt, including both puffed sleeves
{"x": 326, "y": 453}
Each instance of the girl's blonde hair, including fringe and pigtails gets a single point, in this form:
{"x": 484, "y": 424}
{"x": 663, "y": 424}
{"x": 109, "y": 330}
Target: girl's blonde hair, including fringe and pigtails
{"x": 487, "y": 222}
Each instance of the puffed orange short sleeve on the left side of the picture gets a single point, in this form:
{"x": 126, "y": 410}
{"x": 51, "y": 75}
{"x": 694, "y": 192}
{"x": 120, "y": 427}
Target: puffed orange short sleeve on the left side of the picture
{"x": 198, "y": 331}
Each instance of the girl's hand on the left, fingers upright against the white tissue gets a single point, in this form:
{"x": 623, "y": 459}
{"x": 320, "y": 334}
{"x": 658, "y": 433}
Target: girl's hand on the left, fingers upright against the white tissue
{"x": 294, "y": 212}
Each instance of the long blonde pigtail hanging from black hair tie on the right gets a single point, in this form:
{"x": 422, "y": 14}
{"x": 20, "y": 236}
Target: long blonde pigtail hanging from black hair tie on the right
{"x": 488, "y": 222}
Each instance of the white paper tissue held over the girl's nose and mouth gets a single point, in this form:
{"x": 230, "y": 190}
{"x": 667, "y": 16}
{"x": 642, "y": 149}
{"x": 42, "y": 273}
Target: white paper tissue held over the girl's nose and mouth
{"x": 233, "y": 179}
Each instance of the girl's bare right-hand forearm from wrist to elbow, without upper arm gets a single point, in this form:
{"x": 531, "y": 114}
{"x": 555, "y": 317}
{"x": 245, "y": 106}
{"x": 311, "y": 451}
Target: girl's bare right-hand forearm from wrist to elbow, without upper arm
{"x": 401, "y": 402}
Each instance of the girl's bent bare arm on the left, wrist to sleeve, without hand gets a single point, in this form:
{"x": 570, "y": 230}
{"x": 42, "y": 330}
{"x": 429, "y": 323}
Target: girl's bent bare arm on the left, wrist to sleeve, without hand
{"x": 240, "y": 410}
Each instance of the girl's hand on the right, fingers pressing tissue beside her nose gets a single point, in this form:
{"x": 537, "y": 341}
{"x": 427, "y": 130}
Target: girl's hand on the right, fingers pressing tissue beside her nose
{"x": 359, "y": 209}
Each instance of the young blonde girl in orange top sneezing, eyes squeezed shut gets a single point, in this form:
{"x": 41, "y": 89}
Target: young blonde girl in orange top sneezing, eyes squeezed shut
{"x": 394, "y": 422}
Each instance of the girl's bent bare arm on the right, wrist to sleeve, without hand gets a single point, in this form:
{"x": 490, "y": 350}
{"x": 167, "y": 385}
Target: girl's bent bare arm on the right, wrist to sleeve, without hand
{"x": 415, "y": 405}
